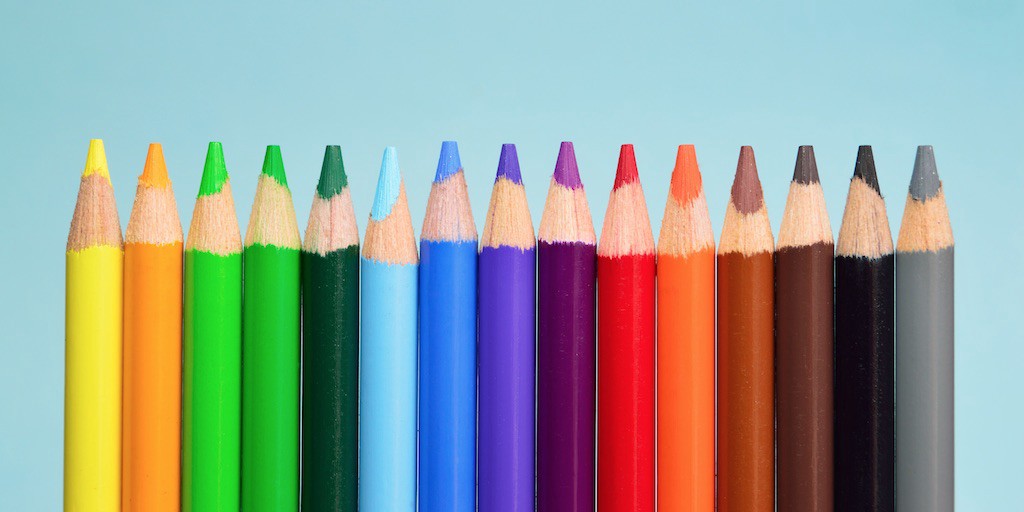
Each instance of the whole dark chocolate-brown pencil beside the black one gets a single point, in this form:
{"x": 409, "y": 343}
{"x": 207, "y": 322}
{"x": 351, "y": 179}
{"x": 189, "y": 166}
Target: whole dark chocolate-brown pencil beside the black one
{"x": 804, "y": 346}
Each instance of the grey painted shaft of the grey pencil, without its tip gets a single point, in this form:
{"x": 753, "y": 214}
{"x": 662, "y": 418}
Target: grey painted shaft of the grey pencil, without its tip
{"x": 925, "y": 380}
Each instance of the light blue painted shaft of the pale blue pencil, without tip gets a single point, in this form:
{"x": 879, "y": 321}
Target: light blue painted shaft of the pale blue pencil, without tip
{"x": 388, "y": 388}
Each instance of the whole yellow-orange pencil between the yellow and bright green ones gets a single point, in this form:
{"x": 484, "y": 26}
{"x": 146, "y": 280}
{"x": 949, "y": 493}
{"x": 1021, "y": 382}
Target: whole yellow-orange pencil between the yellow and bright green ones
{"x": 151, "y": 445}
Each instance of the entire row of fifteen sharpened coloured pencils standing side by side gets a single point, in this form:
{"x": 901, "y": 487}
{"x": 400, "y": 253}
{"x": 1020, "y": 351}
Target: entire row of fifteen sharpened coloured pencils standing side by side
{"x": 506, "y": 373}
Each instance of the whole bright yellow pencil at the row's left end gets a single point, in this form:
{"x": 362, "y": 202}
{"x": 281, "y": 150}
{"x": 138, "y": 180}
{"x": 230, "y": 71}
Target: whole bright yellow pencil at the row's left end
{"x": 93, "y": 344}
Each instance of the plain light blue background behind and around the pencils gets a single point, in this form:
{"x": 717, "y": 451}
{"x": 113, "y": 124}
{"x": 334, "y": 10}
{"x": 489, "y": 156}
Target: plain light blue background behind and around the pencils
{"x": 369, "y": 74}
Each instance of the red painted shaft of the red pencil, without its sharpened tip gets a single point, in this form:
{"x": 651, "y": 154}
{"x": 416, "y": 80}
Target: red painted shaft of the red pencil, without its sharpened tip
{"x": 626, "y": 385}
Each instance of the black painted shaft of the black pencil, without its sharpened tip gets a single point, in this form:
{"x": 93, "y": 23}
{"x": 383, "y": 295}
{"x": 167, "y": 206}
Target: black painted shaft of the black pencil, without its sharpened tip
{"x": 865, "y": 385}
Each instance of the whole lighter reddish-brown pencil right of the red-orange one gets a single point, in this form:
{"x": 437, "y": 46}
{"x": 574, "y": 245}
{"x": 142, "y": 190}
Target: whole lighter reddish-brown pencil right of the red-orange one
{"x": 746, "y": 349}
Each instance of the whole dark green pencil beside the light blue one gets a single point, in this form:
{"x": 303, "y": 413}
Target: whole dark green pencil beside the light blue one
{"x": 331, "y": 345}
